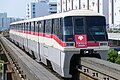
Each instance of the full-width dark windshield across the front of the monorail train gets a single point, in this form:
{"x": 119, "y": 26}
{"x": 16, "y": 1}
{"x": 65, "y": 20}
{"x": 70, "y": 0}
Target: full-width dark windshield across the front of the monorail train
{"x": 93, "y": 26}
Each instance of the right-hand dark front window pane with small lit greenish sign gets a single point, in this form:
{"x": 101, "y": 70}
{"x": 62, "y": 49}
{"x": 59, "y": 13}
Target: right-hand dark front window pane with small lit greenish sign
{"x": 96, "y": 28}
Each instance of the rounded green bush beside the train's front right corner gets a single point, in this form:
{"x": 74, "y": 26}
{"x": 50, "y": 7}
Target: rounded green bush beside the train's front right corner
{"x": 112, "y": 55}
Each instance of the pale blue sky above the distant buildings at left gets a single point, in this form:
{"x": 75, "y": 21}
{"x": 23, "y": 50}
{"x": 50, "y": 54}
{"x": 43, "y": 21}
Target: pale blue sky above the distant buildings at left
{"x": 15, "y": 8}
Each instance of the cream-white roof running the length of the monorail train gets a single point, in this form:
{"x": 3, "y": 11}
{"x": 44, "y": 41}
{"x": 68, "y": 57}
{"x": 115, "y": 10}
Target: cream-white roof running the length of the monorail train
{"x": 80, "y": 12}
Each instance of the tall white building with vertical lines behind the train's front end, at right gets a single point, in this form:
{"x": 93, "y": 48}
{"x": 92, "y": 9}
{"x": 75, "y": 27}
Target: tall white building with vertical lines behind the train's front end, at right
{"x": 109, "y": 8}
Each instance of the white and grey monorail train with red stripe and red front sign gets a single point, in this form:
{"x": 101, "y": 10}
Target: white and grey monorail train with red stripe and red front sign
{"x": 59, "y": 40}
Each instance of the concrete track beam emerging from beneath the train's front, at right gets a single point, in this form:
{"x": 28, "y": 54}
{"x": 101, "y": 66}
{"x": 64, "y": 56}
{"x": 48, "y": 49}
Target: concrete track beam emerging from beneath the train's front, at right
{"x": 99, "y": 69}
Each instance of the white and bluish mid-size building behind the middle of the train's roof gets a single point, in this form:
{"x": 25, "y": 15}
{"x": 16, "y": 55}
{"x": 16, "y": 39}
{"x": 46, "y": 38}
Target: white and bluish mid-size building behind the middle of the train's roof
{"x": 41, "y": 8}
